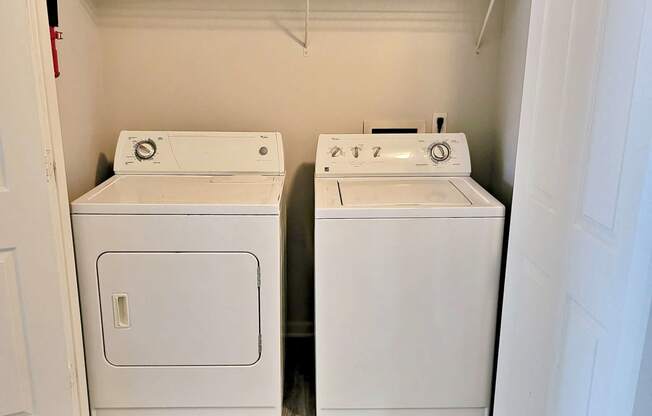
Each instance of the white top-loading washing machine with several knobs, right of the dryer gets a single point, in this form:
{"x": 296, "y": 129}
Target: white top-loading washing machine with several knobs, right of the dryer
{"x": 407, "y": 266}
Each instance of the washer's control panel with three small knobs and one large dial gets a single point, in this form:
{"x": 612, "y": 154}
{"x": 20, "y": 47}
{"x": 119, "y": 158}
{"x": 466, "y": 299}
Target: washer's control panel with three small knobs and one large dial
{"x": 433, "y": 154}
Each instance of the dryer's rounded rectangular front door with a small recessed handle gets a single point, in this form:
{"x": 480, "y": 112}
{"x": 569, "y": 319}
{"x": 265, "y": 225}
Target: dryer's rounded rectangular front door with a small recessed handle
{"x": 179, "y": 308}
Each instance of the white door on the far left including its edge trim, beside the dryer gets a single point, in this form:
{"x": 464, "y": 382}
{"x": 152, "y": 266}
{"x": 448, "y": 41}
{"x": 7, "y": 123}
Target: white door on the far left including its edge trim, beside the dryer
{"x": 41, "y": 369}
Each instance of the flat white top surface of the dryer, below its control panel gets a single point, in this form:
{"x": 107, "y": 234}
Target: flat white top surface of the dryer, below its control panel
{"x": 181, "y": 194}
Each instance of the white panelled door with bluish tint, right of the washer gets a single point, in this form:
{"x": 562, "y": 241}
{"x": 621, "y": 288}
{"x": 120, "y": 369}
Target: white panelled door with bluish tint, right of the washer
{"x": 579, "y": 277}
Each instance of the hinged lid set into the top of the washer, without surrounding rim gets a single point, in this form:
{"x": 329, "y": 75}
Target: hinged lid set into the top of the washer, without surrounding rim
{"x": 402, "y": 191}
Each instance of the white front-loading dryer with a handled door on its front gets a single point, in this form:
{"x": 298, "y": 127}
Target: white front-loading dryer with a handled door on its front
{"x": 180, "y": 259}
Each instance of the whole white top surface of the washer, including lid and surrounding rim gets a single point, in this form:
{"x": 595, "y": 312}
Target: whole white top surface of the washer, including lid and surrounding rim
{"x": 403, "y": 197}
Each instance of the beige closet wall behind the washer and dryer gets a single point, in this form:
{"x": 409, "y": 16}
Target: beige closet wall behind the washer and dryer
{"x": 227, "y": 65}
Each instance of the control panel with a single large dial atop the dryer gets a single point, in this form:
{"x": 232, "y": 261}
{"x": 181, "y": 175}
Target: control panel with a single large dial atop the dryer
{"x": 198, "y": 153}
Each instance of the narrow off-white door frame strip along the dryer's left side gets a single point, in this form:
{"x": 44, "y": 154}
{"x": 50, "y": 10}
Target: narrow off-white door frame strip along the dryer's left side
{"x": 52, "y": 146}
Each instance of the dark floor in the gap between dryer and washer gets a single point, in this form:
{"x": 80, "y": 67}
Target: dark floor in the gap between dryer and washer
{"x": 299, "y": 389}
